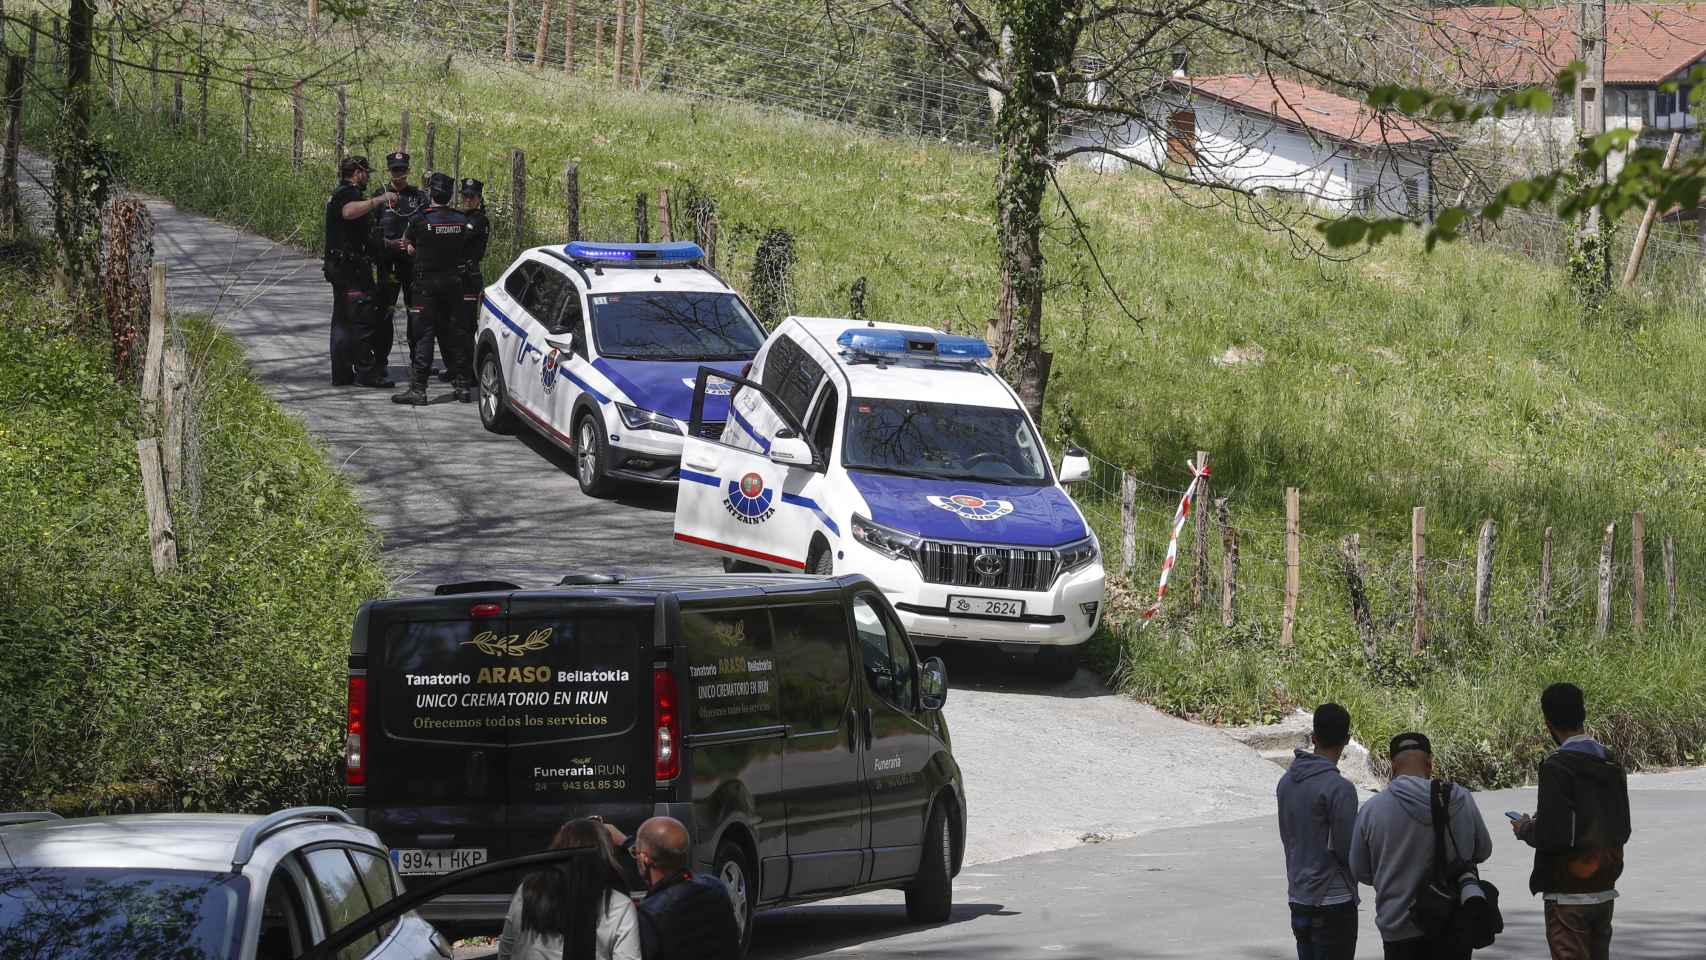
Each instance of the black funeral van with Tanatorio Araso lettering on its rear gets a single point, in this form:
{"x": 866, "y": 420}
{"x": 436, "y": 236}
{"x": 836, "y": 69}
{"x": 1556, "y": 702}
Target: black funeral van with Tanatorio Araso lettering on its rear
{"x": 786, "y": 720}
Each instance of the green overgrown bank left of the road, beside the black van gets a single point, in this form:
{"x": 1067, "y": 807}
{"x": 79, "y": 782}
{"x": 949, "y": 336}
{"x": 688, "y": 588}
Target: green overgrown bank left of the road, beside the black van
{"x": 219, "y": 688}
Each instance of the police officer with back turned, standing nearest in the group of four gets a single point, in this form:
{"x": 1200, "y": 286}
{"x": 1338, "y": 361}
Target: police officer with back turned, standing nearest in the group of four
{"x": 438, "y": 241}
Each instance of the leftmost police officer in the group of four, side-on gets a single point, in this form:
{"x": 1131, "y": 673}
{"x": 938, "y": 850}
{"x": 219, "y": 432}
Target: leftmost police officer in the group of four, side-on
{"x": 351, "y": 272}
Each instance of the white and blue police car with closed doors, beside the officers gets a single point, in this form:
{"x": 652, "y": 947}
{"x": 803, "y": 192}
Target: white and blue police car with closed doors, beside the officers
{"x": 598, "y": 347}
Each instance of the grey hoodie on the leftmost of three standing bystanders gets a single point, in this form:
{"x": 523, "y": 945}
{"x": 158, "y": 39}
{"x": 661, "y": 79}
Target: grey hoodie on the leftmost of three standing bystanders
{"x": 1318, "y": 813}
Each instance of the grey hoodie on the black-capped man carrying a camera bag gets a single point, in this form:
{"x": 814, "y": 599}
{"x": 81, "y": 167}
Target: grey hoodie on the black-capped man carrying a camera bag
{"x": 1393, "y": 848}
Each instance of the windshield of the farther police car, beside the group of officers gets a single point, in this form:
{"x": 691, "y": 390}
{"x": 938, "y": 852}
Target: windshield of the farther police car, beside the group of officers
{"x": 675, "y": 325}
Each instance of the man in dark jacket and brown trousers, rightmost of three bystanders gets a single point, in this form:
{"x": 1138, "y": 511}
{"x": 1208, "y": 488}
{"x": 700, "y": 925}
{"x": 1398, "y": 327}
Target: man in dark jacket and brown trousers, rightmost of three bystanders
{"x": 1577, "y": 831}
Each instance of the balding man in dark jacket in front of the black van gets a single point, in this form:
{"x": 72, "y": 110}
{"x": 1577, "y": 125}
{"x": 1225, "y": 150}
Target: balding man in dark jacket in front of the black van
{"x": 685, "y": 917}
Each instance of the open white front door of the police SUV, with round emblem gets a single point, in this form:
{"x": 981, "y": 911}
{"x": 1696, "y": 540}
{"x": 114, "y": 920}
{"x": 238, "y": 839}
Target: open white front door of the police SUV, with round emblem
{"x": 741, "y": 494}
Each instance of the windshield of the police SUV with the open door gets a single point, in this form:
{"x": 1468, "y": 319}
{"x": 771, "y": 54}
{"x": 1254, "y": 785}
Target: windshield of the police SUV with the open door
{"x": 944, "y": 441}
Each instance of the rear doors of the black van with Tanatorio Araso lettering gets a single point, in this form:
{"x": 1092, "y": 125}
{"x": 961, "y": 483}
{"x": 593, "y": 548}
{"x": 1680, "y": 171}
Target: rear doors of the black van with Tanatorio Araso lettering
{"x": 497, "y": 719}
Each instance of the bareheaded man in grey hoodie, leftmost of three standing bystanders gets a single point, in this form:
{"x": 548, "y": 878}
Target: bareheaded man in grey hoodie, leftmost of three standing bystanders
{"x": 1318, "y": 814}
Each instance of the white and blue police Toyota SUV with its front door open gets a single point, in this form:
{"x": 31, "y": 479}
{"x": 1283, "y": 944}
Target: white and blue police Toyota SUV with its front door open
{"x": 895, "y": 453}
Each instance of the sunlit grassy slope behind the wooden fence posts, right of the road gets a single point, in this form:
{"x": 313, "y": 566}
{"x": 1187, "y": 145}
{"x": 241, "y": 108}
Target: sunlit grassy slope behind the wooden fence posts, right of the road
{"x": 1463, "y": 381}
